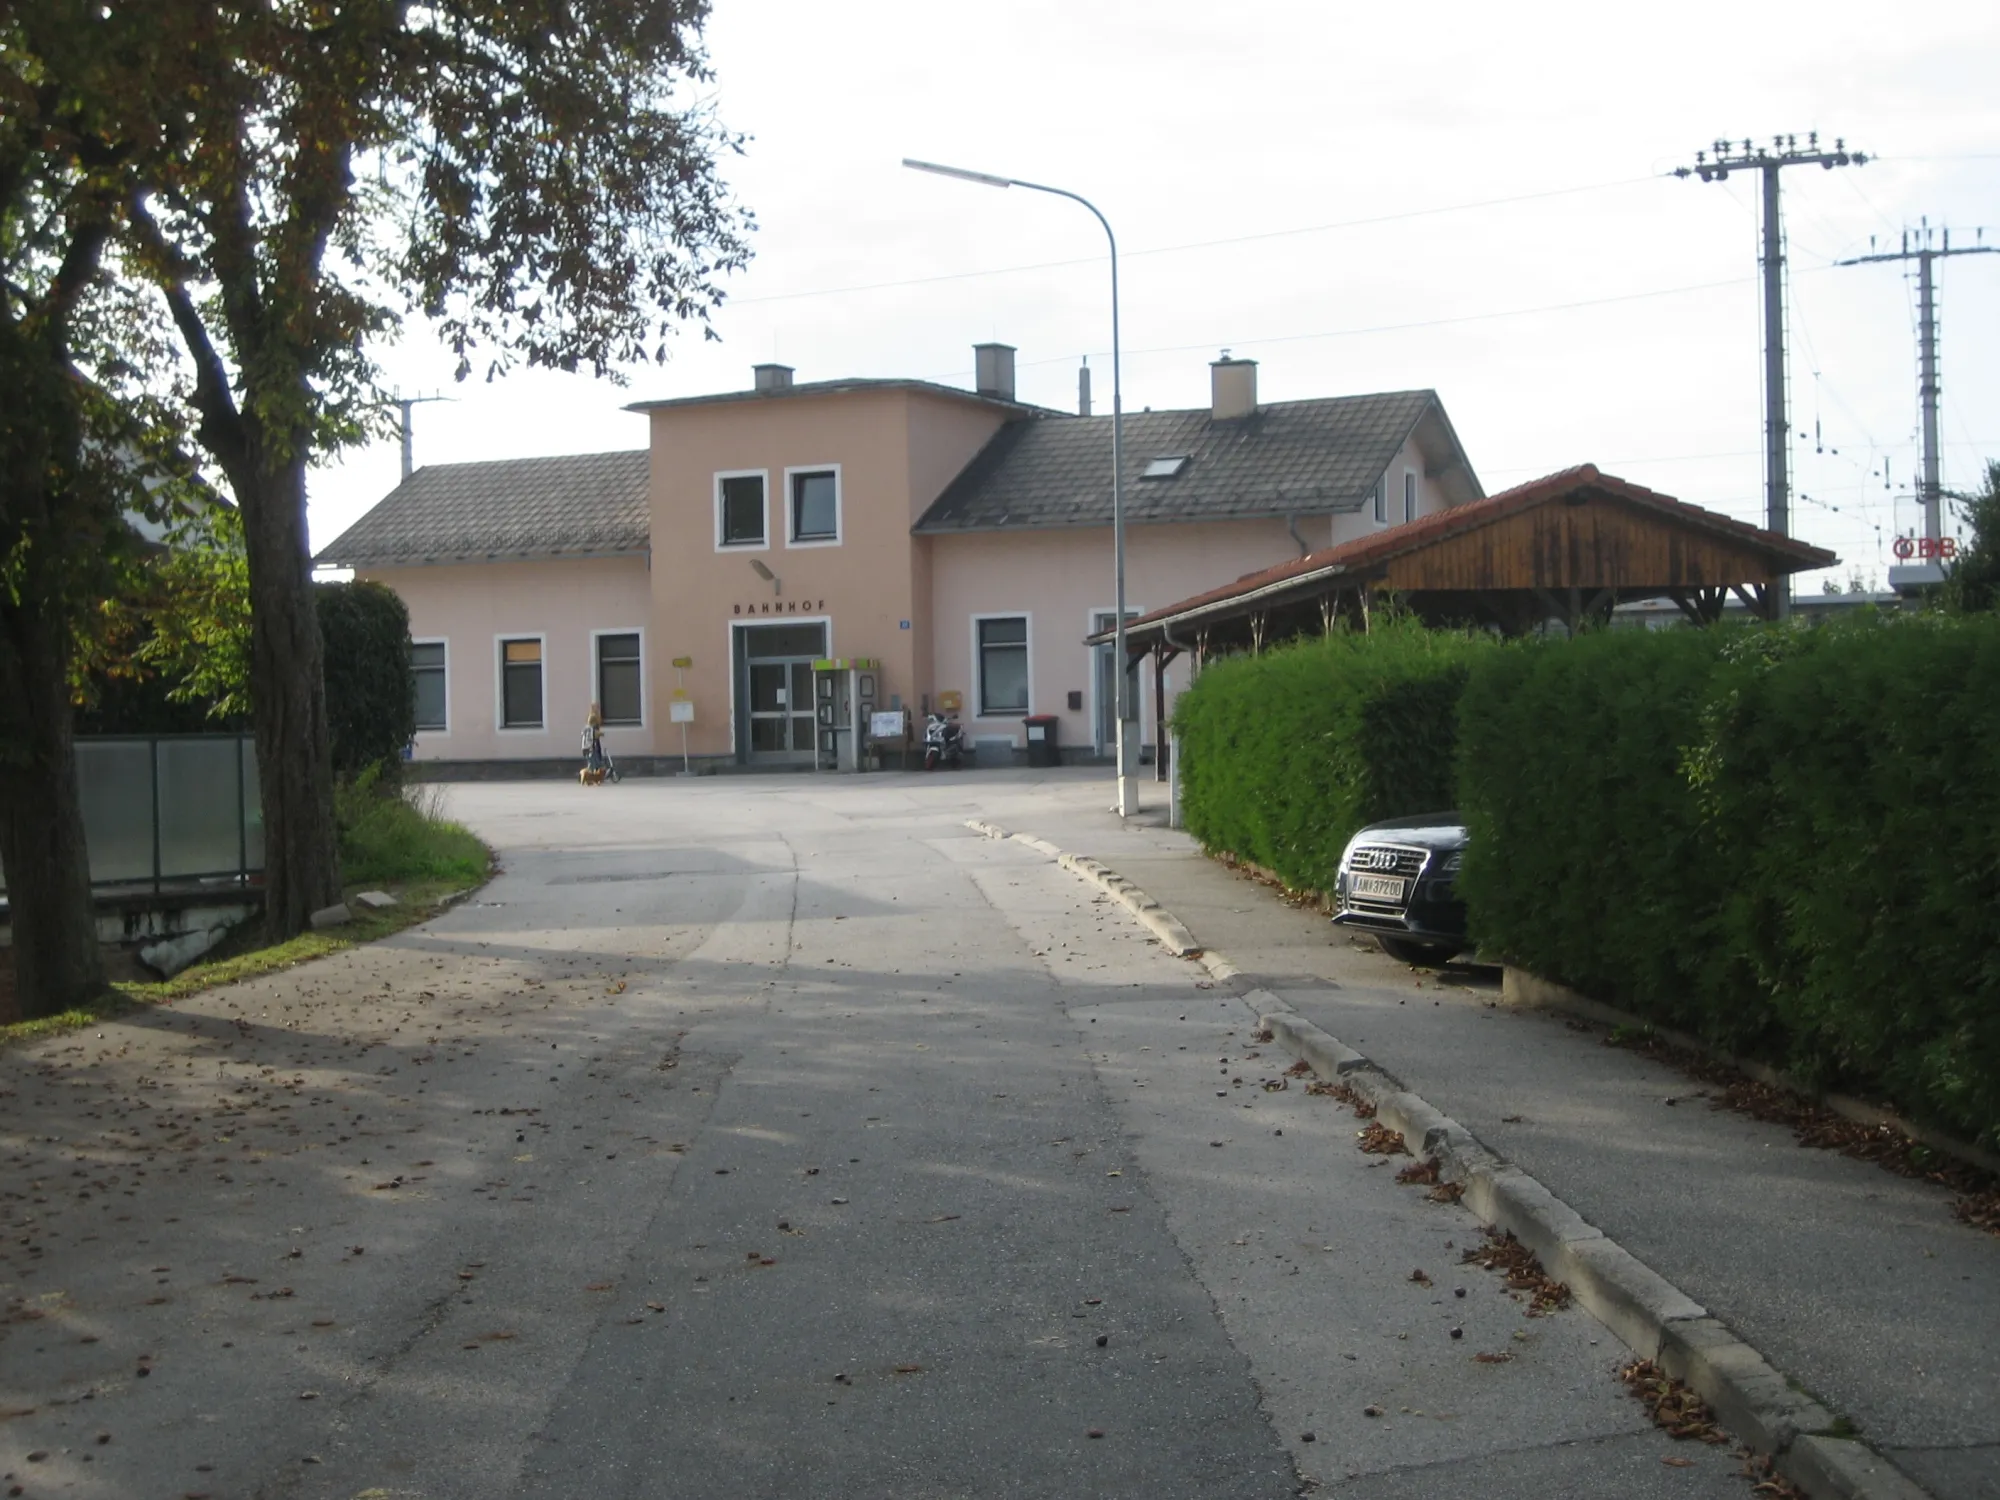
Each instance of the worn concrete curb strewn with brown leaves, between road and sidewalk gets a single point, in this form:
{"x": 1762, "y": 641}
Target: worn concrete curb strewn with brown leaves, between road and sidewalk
{"x": 1651, "y": 1315}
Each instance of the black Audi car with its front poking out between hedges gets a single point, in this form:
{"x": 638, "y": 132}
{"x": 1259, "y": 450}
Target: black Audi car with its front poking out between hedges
{"x": 1399, "y": 883}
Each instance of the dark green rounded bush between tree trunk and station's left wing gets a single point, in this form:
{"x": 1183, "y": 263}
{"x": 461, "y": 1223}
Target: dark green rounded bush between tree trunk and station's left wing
{"x": 371, "y": 693}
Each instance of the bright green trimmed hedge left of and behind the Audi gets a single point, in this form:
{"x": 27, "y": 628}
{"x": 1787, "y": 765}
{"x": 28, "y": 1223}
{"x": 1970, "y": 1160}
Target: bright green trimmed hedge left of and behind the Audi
{"x": 1285, "y": 755}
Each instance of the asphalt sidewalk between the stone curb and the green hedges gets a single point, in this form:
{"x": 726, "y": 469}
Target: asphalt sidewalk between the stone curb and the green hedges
{"x": 1855, "y": 1283}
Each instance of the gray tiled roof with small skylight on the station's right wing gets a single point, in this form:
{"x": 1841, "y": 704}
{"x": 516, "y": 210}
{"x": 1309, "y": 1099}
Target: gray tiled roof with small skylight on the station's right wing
{"x": 1287, "y": 459}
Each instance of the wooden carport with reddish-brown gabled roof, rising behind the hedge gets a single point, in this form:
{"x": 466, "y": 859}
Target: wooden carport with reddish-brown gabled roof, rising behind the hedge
{"x": 1569, "y": 547}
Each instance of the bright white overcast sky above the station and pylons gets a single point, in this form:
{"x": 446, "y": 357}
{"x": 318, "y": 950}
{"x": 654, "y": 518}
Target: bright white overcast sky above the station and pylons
{"x": 1459, "y": 197}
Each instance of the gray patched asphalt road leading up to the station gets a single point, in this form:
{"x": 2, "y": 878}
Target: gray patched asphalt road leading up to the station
{"x": 755, "y": 1137}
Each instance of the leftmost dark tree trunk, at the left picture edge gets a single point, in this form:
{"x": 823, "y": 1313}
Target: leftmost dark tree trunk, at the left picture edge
{"x": 57, "y": 957}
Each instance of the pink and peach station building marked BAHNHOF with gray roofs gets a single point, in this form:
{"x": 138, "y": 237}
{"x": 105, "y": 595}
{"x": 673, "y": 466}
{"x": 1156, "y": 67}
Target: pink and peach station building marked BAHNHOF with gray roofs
{"x": 959, "y": 541}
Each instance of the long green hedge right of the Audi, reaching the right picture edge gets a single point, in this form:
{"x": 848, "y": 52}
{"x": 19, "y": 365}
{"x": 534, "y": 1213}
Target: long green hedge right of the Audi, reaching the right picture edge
{"x": 1787, "y": 841}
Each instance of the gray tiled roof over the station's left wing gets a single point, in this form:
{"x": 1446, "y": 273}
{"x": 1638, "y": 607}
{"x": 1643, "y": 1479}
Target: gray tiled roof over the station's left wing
{"x": 511, "y": 509}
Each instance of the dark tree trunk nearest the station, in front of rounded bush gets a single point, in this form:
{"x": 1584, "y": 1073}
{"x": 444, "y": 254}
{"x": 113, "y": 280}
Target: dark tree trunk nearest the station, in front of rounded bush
{"x": 289, "y": 705}
